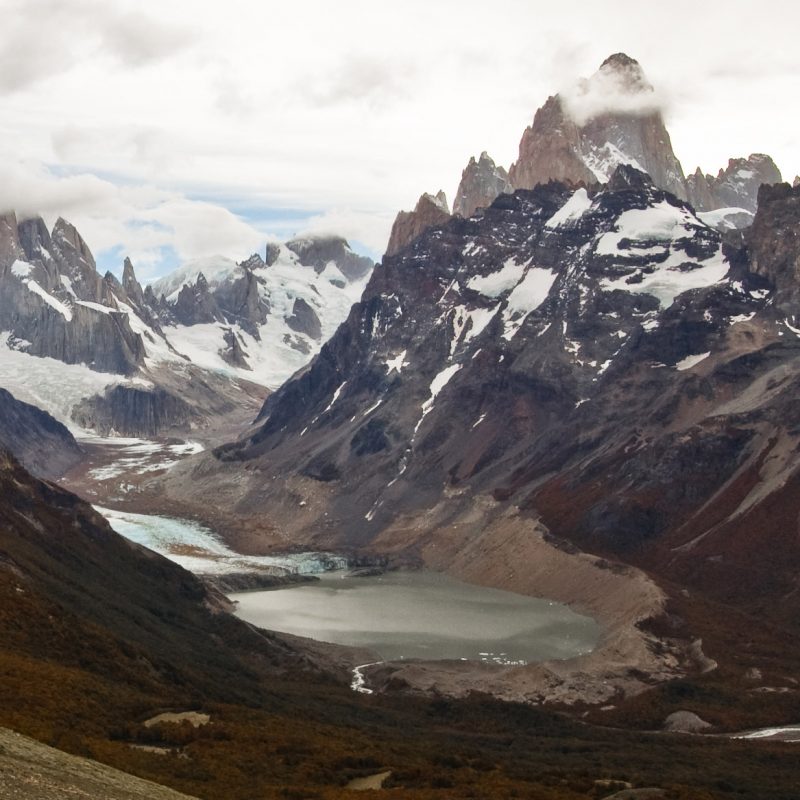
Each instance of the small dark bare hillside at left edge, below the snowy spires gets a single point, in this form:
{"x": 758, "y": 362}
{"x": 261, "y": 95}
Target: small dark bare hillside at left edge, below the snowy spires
{"x": 41, "y": 444}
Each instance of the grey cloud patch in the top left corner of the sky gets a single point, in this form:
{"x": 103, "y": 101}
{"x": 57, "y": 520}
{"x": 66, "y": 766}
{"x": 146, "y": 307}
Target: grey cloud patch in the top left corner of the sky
{"x": 40, "y": 39}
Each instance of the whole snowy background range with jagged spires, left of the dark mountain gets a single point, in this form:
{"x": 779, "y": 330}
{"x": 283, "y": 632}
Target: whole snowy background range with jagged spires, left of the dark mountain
{"x": 112, "y": 356}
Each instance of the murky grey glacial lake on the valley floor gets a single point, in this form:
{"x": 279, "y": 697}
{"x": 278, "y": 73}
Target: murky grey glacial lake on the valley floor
{"x": 423, "y": 615}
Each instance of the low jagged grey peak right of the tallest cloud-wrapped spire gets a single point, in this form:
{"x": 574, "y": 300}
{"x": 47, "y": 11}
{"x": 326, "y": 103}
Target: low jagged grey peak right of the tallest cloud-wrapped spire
{"x": 736, "y": 186}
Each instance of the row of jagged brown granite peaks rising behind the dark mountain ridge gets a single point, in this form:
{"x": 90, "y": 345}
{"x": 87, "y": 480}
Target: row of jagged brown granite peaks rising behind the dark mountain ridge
{"x": 579, "y": 137}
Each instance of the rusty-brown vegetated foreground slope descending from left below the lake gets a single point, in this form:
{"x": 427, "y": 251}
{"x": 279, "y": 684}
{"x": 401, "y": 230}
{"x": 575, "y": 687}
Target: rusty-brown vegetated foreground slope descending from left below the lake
{"x": 97, "y": 636}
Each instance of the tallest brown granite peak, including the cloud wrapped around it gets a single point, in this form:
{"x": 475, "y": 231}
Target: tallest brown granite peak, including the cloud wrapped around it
{"x": 609, "y": 119}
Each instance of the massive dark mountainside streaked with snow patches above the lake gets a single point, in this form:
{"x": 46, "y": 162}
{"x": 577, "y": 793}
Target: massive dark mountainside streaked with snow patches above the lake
{"x": 589, "y": 357}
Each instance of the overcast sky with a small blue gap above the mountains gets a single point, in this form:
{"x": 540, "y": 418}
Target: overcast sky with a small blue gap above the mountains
{"x": 171, "y": 129}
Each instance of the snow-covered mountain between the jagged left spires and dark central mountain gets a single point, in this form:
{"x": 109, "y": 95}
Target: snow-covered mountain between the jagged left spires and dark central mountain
{"x": 260, "y": 320}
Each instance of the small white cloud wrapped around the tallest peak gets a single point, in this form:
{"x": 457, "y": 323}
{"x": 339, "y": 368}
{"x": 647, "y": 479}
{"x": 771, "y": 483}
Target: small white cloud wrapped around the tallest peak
{"x": 611, "y": 90}
